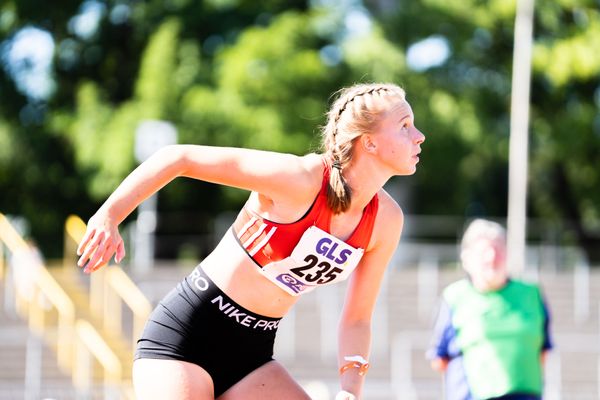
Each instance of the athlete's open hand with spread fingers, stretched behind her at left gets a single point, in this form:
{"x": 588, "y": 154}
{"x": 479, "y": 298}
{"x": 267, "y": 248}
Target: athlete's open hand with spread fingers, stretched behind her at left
{"x": 100, "y": 242}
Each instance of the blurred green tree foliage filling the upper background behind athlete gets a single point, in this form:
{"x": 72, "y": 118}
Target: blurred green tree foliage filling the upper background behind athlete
{"x": 260, "y": 74}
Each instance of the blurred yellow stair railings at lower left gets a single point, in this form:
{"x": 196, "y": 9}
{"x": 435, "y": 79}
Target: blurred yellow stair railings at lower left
{"x": 79, "y": 333}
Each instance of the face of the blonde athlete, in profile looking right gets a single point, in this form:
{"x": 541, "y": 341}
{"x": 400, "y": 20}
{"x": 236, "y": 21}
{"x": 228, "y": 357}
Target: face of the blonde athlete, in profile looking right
{"x": 398, "y": 140}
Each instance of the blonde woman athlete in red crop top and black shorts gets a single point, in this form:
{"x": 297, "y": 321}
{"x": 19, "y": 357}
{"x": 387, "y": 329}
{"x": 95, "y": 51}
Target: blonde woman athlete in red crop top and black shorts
{"x": 309, "y": 220}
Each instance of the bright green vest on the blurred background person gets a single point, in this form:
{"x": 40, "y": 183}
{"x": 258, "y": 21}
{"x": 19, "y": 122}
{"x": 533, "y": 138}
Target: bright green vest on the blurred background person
{"x": 500, "y": 335}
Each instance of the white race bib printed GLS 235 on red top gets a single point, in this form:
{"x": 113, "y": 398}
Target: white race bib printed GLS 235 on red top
{"x": 318, "y": 259}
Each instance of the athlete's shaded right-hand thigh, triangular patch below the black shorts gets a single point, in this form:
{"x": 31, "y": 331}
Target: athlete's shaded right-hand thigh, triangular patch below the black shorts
{"x": 270, "y": 381}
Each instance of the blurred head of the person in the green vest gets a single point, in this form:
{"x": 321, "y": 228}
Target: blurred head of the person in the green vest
{"x": 484, "y": 259}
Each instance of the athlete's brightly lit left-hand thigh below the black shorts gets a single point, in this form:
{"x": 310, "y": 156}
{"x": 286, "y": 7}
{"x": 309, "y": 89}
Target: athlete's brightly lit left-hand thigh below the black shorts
{"x": 170, "y": 379}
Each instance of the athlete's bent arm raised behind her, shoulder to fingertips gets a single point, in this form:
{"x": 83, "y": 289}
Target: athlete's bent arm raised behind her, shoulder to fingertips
{"x": 280, "y": 177}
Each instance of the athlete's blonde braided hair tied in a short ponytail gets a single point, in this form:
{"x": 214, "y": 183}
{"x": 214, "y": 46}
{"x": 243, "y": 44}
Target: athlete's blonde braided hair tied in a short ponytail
{"x": 356, "y": 111}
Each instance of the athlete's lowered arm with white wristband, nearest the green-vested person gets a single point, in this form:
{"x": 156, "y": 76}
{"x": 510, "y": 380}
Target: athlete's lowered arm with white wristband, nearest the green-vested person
{"x": 363, "y": 288}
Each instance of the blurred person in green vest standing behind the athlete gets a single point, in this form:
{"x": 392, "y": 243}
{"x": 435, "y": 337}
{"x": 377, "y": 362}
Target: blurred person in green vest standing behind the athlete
{"x": 492, "y": 331}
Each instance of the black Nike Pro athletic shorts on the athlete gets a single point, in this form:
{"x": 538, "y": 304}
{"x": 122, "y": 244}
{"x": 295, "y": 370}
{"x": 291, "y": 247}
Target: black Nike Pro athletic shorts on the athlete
{"x": 198, "y": 323}
